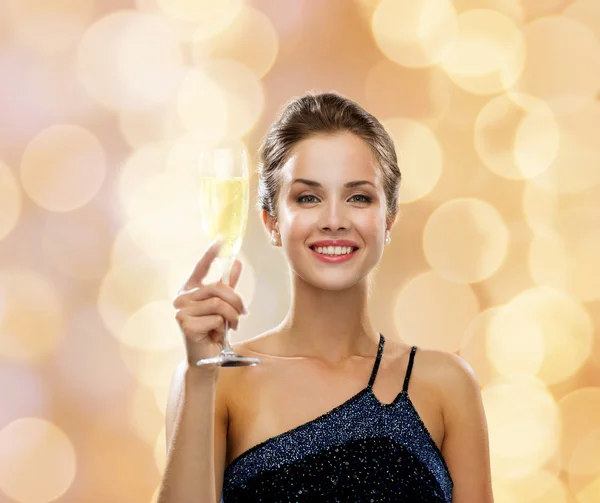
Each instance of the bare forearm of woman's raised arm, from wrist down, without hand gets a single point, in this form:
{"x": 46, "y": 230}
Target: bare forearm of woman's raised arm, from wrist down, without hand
{"x": 196, "y": 430}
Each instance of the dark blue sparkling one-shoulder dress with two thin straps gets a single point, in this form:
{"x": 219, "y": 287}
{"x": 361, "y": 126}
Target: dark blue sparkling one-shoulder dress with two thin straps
{"x": 360, "y": 451}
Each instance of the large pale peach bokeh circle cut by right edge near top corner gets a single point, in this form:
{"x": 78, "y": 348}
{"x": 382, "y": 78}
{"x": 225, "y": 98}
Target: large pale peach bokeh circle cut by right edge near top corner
{"x": 571, "y": 77}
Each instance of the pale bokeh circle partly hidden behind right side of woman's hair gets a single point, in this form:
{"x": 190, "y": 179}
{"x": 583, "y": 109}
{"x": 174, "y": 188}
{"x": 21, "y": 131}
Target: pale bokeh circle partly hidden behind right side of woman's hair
{"x": 419, "y": 156}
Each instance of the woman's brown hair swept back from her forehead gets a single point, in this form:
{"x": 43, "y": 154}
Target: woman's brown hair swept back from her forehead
{"x": 322, "y": 114}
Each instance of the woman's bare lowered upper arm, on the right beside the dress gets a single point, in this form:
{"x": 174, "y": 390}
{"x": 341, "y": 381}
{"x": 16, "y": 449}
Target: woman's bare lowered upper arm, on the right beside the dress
{"x": 466, "y": 441}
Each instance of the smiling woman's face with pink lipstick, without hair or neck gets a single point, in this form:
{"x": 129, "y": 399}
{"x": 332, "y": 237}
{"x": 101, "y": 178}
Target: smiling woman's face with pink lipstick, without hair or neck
{"x": 326, "y": 207}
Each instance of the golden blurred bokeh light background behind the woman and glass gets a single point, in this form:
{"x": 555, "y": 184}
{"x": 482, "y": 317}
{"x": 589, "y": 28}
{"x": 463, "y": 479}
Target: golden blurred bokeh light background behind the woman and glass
{"x": 494, "y": 106}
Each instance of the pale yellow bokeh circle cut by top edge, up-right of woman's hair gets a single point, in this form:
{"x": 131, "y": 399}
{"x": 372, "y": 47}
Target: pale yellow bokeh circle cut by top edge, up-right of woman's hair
{"x": 415, "y": 33}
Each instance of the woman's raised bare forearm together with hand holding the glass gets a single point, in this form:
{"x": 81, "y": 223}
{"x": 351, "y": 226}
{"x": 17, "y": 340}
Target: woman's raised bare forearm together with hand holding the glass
{"x": 196, "y": 416}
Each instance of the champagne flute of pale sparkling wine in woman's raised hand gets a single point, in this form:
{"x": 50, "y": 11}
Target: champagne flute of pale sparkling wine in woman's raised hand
{"x": 224, "y": 199}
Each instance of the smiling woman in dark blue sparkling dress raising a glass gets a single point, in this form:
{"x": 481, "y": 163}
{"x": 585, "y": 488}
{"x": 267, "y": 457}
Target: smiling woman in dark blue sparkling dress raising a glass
{"x": 304, "y": 425}
